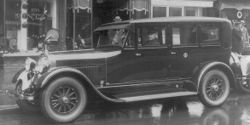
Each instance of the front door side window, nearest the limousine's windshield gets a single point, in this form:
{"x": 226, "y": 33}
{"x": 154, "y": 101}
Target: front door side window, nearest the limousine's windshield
{"x": 154, "y": 36}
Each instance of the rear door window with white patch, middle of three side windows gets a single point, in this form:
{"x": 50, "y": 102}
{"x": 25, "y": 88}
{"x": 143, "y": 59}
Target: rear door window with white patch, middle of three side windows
{"x": 184, "y": 34}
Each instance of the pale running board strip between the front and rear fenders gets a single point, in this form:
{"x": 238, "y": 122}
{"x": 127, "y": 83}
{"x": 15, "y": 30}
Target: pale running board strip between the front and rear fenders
{"x": 156, "y": 96}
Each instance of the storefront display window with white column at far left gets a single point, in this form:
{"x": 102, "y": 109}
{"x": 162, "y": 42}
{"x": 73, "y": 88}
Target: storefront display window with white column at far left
{"x": 27, "y": 22}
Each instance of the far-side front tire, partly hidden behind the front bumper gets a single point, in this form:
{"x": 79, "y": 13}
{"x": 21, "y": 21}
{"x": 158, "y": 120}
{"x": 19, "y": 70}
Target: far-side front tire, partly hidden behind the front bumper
{"x": 25, "y": 105}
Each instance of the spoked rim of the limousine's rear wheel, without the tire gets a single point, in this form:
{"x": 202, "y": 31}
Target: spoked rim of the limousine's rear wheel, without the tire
{"x": 215, "y": 88}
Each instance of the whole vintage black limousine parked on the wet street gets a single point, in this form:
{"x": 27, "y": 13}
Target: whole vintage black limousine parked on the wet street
{"x": 133, "y": 61}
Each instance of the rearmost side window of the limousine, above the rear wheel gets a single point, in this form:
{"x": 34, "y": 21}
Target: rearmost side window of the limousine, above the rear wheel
{"x": 209, "y": 34}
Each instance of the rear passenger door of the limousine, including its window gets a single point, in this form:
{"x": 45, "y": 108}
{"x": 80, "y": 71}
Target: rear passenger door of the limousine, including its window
{"x": 186, "y": 48}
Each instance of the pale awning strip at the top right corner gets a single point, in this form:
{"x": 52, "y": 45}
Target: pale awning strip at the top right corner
{"x": 235, "y": 5}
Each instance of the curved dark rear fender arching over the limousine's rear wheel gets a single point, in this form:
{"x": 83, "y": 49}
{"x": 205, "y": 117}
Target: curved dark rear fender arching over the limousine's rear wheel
{"x": 215, "y": 64}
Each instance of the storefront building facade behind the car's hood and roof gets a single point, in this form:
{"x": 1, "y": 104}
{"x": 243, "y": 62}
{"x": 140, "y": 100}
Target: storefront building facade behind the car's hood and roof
{"x": 24, "y": 26}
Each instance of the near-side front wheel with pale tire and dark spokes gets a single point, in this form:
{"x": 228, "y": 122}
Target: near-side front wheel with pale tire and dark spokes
{"x": 63, "y": 100}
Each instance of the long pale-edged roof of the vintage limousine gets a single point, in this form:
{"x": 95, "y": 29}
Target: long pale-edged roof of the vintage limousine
{"x": 162, "y": 19}
